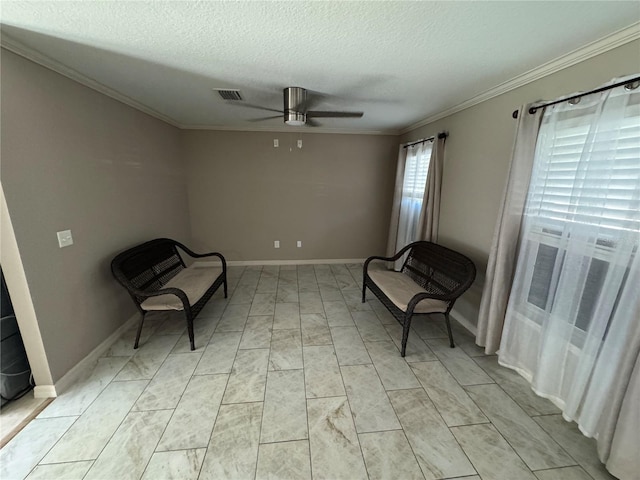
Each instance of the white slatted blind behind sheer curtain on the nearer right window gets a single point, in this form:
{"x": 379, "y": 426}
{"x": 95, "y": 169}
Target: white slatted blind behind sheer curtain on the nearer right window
{"x": 598, "y": 186}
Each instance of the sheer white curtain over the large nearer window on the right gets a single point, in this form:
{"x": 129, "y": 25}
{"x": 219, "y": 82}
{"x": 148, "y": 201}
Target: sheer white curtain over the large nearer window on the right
{"x": 573, "y": 311}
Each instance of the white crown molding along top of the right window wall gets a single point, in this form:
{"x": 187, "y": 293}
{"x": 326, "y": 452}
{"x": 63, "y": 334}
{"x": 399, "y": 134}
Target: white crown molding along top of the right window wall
{"x": 581, "y": 54}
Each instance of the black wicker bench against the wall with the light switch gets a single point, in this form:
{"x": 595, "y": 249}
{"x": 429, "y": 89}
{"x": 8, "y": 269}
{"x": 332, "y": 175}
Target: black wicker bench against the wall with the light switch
{"x": 157, "y": 278}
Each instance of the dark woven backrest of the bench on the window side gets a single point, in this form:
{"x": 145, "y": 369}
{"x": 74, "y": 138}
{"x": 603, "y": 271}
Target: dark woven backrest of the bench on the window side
{"x": 439, "y": 269}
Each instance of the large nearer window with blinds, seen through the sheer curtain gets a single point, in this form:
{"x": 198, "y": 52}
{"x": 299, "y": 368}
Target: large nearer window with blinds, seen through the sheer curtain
{"x": 581, "y": 226}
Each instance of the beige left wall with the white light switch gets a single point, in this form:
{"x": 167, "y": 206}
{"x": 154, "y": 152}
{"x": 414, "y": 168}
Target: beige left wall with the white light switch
{"x": 75, "y": 159}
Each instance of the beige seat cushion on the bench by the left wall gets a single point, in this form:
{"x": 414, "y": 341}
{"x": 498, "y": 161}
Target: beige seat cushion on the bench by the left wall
{"x": 194, "y": 281}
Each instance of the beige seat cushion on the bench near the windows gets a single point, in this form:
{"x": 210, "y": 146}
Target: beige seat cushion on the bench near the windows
{"x": 400, "y": 289}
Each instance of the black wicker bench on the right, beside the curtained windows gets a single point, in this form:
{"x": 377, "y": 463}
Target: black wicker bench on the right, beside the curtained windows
{"x": 430, "y": 280}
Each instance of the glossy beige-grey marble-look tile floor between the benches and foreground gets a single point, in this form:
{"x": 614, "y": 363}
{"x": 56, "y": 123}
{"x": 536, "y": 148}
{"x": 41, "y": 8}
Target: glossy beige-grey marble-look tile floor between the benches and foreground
{"x": 294, "y": 378}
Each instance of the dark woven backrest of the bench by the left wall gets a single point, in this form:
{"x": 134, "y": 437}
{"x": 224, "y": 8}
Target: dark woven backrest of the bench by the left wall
{"x": 148, "y": 266}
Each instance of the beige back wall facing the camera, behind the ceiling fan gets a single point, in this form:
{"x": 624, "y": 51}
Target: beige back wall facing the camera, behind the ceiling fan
{"x": 334, "y": 194}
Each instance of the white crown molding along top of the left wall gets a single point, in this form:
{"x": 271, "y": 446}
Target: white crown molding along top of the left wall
{"x": 19, "y": 48}
